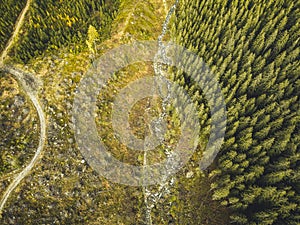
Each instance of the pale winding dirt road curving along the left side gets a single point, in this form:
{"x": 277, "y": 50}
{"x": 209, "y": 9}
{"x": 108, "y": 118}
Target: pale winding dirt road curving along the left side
{"x": 21, "y": 76}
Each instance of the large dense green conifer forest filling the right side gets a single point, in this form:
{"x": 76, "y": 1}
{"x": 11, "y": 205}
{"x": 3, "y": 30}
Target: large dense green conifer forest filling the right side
{"x": 252, "y": 47}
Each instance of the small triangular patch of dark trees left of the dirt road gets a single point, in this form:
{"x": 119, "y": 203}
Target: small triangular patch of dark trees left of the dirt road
{"x": 9, "y": 12}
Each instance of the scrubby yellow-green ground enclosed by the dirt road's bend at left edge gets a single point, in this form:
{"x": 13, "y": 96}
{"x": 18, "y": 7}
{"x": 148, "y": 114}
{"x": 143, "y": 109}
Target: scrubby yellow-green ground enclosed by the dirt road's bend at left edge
{"x": 18, "y": 126}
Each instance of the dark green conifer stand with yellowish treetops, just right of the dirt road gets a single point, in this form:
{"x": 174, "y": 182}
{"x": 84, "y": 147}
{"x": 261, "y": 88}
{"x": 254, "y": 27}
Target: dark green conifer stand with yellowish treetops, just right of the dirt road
{"x": 53, "y": 24}
